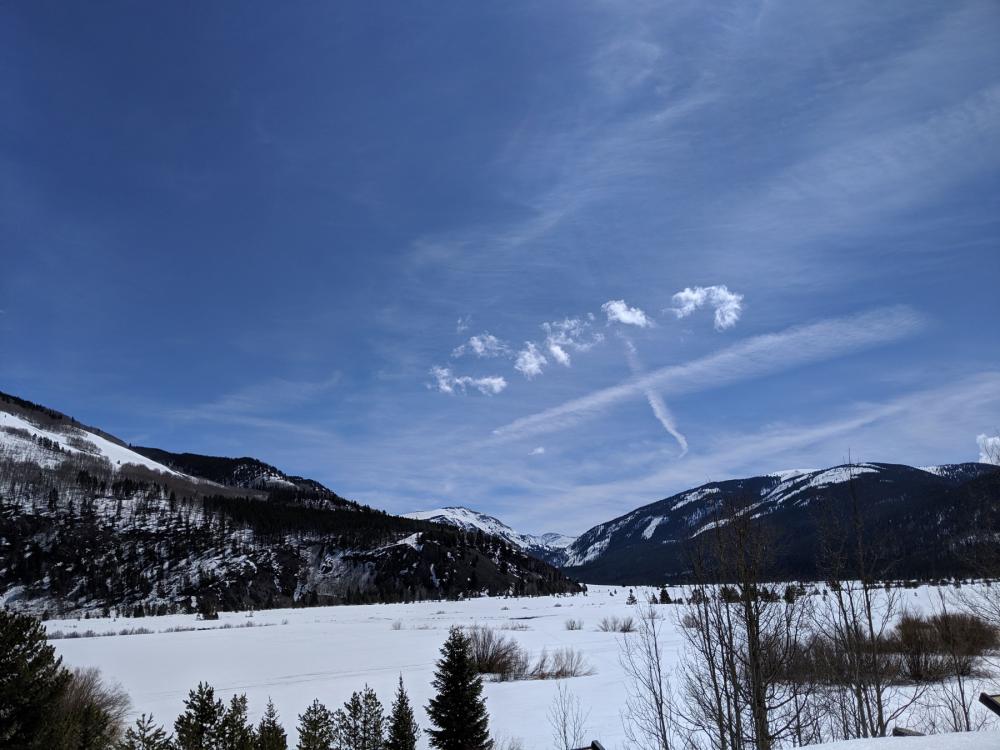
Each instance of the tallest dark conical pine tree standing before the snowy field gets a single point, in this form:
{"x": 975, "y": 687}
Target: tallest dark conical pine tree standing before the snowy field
{"x": 458, "y": 711}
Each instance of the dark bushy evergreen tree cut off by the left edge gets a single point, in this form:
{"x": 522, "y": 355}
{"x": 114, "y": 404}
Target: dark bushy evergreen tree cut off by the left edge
{"x": 32, "y": 680}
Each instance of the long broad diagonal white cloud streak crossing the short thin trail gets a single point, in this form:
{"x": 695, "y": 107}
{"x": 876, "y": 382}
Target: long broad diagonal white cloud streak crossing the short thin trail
{"x": 751, "y": 358}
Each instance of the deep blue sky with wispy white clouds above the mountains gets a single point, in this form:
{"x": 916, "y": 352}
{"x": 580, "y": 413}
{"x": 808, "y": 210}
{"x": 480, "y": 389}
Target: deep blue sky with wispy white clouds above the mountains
{"x": 547, "y": 260}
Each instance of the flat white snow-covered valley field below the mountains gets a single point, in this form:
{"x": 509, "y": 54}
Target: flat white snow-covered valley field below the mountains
{"x": 296, "y": 655}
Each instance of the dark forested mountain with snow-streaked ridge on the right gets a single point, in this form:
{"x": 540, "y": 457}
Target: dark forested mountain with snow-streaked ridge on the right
{"x": 917, "y": 516}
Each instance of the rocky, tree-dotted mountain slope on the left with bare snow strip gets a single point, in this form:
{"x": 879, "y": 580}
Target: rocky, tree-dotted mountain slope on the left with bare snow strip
{"x": 88, "y": 524}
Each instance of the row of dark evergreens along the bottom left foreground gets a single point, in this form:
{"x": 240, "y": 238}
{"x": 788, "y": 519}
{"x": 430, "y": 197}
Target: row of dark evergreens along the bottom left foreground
{"x": 47, "y": 707}
